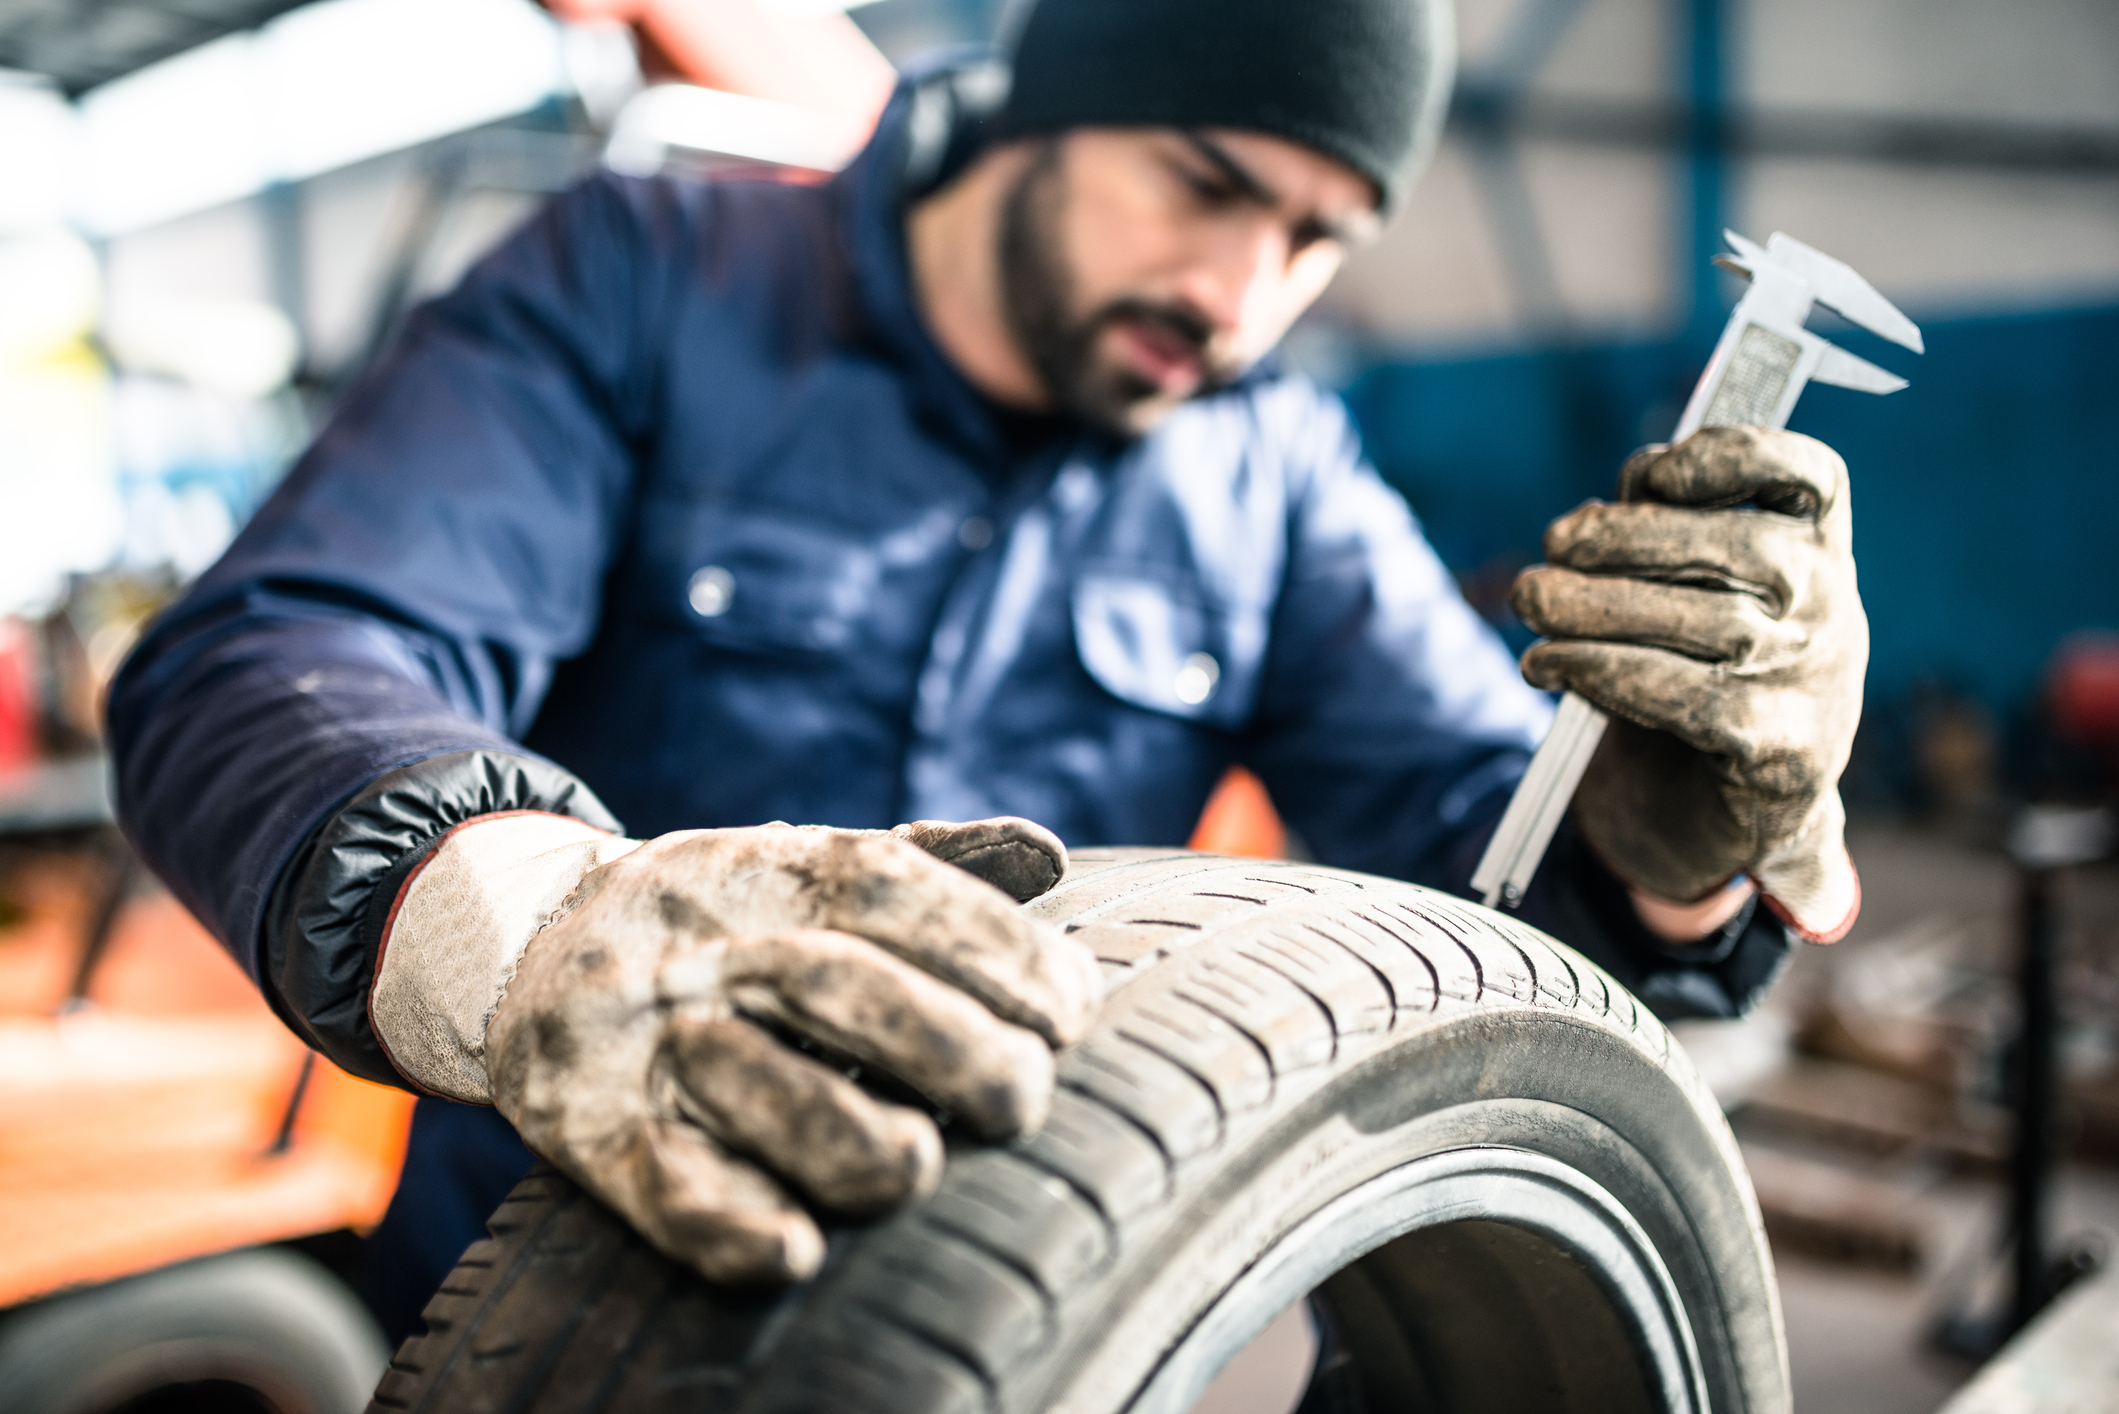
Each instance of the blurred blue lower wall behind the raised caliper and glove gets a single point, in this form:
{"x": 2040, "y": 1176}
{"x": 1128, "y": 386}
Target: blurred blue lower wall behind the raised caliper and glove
{"x": 1987, "y": 497}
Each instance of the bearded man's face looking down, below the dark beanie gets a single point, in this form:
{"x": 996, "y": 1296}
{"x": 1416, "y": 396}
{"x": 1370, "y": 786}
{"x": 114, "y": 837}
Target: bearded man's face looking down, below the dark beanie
{"x": 1150, "y": 266}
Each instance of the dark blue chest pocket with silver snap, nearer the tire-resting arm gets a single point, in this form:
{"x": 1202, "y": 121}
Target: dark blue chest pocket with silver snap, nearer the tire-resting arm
{"x": 777, "y": 584}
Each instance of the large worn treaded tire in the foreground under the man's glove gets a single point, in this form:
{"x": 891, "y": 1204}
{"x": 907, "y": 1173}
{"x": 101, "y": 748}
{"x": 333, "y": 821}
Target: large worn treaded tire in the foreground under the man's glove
{"x": 1275, "y": 1038}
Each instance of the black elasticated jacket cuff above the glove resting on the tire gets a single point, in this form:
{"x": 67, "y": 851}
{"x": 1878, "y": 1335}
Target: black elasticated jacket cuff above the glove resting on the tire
{"x": 332, "y": 904}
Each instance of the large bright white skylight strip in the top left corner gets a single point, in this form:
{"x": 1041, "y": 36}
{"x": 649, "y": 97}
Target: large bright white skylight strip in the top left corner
{"x": 321, "y": 88}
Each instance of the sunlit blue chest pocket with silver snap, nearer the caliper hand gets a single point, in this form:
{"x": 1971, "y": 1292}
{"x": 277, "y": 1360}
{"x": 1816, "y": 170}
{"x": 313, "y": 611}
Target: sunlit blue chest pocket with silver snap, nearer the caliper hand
{"x": 1164, "y": 646}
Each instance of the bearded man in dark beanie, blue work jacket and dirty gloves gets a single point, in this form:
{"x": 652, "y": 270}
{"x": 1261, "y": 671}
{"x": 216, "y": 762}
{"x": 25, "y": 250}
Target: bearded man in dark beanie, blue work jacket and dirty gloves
{"x": 952, "y": 491}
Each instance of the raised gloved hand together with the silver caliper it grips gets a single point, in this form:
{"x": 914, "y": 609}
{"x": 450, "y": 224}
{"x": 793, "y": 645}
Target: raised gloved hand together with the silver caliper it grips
{"x": 1713, "y": 614}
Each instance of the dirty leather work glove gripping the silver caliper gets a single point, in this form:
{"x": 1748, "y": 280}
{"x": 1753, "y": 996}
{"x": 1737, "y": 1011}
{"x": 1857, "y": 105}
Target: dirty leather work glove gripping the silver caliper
{"x": 1713, "y": 614}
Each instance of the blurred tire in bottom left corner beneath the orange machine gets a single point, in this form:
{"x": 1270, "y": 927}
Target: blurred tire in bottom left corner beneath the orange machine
{"x": 251, "y": 1332}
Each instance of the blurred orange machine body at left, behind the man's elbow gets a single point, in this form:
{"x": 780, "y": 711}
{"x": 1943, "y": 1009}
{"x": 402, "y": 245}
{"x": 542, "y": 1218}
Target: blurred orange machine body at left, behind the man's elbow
{"x": 173, "y": 1116}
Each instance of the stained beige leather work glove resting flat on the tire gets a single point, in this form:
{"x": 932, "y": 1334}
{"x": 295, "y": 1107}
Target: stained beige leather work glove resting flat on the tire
{"x": 652, "y": 1038}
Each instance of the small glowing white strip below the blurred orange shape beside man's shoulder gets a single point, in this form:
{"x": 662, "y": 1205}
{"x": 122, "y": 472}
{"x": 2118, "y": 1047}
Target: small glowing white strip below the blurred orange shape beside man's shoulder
{"x": 677, "y": 116}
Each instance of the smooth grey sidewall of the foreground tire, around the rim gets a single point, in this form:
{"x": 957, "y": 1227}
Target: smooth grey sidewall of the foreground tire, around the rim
{"x": 1565, "y": 1091}
